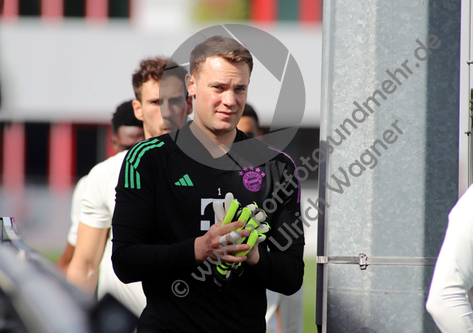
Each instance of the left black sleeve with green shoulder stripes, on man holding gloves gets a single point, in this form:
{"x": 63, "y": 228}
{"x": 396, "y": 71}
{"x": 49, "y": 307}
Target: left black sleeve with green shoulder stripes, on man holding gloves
{"x": 137, "y": 252}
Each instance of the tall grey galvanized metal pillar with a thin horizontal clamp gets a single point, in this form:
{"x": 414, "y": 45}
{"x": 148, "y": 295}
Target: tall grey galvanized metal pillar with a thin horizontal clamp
{"x": 390, "y": 88}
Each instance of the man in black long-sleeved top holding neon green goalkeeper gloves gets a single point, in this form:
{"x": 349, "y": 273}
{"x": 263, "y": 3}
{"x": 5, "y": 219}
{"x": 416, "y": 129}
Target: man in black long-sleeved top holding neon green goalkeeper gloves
{"x": 163, "y": 226}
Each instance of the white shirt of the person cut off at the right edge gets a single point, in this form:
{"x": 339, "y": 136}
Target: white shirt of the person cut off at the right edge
{"x": 450, "y": 296}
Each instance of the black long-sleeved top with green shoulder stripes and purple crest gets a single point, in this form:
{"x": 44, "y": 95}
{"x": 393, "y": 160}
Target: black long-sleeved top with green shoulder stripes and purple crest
{"x": 157, "y": 218}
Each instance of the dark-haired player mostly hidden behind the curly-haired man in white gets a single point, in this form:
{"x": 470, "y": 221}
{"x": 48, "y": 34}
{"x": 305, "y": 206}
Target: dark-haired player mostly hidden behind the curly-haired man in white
{"x": 127, "y": 130}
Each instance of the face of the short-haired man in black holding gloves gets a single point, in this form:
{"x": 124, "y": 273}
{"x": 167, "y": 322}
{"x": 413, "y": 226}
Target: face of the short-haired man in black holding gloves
{"x": 219, "y": 94}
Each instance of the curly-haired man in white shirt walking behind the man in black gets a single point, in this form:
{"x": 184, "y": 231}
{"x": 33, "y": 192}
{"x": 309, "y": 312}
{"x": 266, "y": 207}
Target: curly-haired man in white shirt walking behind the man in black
{"x": 160, "y": 113}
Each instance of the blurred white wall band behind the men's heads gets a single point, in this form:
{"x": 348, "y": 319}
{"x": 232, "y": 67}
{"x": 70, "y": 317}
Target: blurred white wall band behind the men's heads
{"x": 74, "y": 71}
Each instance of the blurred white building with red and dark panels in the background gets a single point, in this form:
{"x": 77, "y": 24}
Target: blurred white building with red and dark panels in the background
{"x": 66, "y": 64}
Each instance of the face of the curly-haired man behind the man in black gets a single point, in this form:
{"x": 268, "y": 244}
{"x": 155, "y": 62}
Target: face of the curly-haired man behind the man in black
{"x": 162, "y": 110}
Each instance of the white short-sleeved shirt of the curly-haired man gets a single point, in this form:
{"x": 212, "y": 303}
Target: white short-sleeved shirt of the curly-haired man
{"x": 97, "y": 206}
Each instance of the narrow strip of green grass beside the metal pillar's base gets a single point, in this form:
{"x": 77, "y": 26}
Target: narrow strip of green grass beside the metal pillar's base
{"x": 309, "y": 296}
